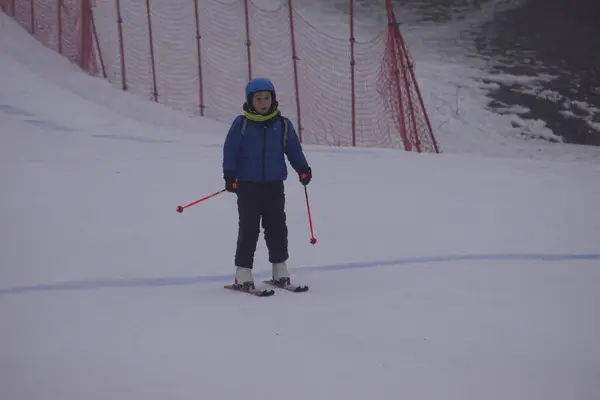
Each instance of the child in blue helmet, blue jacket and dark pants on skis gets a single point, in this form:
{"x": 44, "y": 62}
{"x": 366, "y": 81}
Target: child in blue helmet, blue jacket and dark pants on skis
{"x": 254, "y": 168}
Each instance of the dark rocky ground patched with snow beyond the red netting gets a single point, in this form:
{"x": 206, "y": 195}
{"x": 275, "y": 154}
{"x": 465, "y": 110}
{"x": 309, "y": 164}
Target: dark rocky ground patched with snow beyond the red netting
{"x": 557, "y": 39}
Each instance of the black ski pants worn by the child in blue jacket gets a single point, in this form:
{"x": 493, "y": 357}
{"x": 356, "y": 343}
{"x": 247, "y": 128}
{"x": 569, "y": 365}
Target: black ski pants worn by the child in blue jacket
{"x": 261, "y": 201}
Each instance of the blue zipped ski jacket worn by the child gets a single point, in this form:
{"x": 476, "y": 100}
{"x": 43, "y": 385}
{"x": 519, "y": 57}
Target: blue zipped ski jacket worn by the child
{"x": 255, "y": 151}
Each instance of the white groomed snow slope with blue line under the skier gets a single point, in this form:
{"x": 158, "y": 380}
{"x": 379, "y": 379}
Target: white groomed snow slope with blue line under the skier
{"x": 473, "y": 274}
